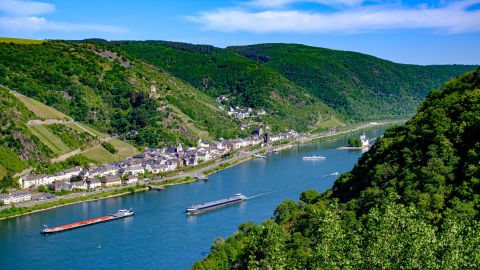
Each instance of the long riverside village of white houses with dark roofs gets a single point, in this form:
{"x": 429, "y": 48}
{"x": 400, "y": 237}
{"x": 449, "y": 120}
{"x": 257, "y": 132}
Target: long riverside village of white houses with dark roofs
{"x": 151, "y": 164}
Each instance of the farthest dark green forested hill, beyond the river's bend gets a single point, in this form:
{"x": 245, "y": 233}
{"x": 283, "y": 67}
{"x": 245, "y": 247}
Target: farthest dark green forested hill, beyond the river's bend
{"x": 356, "y": 85}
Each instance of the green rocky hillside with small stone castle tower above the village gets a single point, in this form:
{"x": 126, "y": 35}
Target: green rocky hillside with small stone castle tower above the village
{"x": 98, "y": 86}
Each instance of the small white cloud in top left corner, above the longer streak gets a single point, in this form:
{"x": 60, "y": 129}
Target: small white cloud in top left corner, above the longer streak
{"x": 25, "y": 8}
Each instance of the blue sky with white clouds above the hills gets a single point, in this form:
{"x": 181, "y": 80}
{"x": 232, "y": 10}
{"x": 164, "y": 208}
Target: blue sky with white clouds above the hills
{"x": 404, "y": 31}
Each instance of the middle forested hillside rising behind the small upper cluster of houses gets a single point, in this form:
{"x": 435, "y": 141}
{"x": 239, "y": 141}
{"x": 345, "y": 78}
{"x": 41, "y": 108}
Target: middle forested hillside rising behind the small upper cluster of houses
{"x": 246, "y": 83}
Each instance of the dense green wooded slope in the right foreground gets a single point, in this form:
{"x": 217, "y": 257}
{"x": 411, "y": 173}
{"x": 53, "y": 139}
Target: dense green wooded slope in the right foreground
{"x": 411, "y": 202}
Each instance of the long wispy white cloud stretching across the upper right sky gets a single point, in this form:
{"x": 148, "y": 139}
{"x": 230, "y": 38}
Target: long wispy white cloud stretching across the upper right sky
{"x": 452, "y": 18}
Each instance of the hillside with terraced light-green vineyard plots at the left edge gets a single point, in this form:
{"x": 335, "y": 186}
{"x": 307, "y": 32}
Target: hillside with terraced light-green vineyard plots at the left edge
{"x": 37, "y": 136}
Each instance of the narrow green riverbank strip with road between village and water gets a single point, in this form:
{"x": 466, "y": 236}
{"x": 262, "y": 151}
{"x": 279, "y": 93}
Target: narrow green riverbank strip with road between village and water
{"x": 190, "y": 175}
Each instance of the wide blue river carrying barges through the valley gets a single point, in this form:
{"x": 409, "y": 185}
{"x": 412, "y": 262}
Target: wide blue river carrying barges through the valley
{"x": 160, "y": 235}
